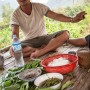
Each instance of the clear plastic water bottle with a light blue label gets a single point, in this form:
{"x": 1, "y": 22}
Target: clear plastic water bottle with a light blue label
{"x": 16, "y": 44}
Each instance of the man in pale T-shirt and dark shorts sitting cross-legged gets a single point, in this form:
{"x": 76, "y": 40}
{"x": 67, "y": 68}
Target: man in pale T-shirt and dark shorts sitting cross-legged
{"x": 30, "y": 18}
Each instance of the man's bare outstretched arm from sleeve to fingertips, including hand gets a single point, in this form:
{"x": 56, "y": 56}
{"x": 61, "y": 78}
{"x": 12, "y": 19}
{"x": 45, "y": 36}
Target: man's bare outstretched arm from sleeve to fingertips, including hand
{"x": 63, "y": 18}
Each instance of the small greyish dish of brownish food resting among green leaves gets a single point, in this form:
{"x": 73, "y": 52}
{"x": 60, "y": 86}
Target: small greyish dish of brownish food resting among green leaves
{"x": 30, "y": 74}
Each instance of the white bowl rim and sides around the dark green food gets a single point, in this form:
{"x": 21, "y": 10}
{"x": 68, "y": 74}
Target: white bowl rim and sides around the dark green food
{"x": 39, "y": 80}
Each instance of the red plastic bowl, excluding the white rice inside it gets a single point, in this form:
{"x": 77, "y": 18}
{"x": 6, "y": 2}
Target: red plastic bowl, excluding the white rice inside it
{"x": 60, "y": 69}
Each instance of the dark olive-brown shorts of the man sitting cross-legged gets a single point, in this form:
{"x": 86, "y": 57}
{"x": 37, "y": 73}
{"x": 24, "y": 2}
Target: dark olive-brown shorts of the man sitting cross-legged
{"x": 39, "y": 41}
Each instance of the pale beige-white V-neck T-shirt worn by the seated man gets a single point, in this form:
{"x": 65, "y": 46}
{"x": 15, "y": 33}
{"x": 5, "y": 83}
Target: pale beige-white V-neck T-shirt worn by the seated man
{"x": 32, "y": 25}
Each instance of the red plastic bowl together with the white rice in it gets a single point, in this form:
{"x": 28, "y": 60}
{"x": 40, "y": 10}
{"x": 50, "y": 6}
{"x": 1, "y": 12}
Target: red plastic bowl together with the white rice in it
{"x": 61, "y": 63}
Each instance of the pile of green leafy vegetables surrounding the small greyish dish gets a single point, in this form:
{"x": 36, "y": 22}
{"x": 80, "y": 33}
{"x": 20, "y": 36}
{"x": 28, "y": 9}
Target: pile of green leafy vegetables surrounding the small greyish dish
{"x": 10, "y": 81}
